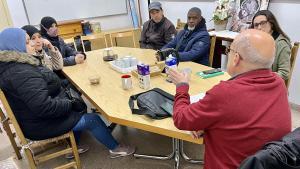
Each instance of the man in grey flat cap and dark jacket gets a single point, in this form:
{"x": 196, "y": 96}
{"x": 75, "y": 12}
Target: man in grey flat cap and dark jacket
{"x": 157, "y": 31}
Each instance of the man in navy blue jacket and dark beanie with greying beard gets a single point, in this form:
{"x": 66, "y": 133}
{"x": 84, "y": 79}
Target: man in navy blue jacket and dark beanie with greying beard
{"x": 192, "y": 43}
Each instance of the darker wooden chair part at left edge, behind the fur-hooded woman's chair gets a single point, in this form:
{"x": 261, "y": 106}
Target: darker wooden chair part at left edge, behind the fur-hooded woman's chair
{"x": 11, "y": 136}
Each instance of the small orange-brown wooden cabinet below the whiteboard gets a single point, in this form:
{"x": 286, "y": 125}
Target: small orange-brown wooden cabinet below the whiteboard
{"x": 69, "y": 29}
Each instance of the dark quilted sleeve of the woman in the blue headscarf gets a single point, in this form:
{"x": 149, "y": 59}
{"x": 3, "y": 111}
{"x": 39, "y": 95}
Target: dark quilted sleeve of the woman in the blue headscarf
{"x": 32, "y": 89}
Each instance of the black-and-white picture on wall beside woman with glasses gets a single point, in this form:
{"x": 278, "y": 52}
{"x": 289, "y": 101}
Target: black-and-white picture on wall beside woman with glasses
{"x": 244, "y": 11}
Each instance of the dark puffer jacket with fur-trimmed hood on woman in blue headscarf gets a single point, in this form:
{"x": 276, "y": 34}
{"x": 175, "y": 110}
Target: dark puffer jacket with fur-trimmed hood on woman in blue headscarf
{"x": 40, "y": 113}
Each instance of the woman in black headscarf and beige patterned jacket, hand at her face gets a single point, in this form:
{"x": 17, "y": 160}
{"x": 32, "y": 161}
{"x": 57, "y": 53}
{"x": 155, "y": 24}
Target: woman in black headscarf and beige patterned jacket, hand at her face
{"x": 54, "y": 60}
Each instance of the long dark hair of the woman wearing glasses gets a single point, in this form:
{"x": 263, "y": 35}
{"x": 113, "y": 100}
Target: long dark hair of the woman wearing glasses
{"x": 270, "y": 18}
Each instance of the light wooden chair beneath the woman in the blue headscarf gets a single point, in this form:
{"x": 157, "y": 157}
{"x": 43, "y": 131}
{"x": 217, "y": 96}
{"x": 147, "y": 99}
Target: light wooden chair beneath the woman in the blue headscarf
{"x": 28, "y": 144}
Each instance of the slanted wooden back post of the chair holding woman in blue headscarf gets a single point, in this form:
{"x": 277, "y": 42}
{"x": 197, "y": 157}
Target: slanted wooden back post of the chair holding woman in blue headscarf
{"x": 12, "y": 118}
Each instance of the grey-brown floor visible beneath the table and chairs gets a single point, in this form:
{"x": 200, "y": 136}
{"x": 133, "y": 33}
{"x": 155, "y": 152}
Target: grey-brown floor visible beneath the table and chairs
{"x": 97, "y": 157}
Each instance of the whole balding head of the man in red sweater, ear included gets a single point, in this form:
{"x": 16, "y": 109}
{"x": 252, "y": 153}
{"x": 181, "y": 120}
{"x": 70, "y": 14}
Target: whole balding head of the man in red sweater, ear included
{"x": 251, "y": 50}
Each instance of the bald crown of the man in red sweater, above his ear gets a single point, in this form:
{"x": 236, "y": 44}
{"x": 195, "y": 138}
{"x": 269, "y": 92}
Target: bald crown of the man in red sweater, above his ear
{"x": 256, "y": 47}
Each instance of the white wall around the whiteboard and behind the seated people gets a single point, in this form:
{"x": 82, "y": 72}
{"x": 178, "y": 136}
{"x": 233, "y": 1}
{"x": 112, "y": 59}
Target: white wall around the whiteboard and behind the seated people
{"x": 285, "y": 10}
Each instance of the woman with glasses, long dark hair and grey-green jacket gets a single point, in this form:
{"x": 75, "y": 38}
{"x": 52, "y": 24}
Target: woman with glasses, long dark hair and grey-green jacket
{"x": 265, "y": 20}
